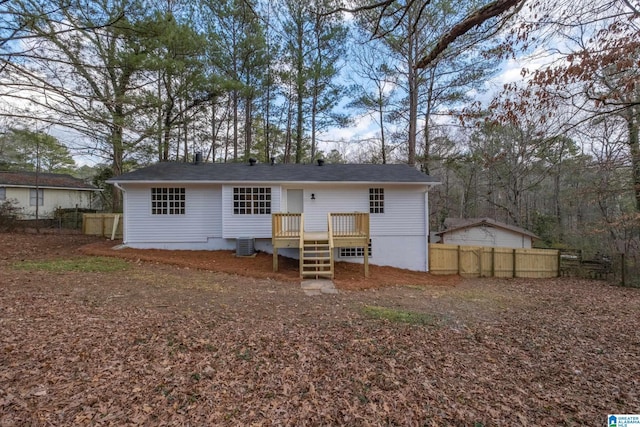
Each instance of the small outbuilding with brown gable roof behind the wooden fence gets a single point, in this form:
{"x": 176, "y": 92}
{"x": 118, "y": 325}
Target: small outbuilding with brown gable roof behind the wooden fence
{"x": 484, "y": 232}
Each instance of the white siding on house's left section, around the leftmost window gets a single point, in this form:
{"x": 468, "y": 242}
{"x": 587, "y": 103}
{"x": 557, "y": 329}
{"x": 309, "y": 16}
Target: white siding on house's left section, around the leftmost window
{"x": 202, "y": 218}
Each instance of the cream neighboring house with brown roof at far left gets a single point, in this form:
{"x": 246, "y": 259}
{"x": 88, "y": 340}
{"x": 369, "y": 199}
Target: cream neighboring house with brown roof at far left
{"x": 49, "y": 191}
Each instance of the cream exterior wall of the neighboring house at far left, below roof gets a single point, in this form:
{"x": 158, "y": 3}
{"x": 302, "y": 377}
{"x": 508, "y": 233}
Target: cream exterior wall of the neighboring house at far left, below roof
{"x": 52, "y": 200}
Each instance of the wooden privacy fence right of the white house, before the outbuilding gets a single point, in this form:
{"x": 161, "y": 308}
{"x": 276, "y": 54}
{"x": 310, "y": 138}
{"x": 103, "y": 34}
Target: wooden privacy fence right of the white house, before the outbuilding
{"x": 483, "y": 261}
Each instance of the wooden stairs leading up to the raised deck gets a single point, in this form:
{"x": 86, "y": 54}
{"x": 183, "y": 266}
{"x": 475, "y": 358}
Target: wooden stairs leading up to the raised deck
{"x": 316, "y": 256}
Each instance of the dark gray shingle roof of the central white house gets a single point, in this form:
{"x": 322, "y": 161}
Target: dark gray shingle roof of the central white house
{"x": 240, "y": 172}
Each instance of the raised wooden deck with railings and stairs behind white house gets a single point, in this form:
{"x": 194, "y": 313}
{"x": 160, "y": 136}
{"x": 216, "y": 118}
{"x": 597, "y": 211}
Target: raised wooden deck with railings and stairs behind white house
{"x": 344, "y": 230}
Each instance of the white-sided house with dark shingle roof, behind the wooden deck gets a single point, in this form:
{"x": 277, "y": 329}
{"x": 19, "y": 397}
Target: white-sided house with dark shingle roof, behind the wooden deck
{"x": 211, "y": 205}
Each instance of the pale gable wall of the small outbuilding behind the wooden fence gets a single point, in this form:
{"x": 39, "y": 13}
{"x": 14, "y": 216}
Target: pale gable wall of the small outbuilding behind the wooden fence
{"x": 487, "y": 236}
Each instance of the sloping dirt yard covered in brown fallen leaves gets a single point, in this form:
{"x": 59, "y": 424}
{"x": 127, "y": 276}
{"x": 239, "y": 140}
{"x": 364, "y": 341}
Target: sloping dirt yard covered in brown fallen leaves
{"x": 207, "y": 339}
